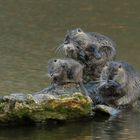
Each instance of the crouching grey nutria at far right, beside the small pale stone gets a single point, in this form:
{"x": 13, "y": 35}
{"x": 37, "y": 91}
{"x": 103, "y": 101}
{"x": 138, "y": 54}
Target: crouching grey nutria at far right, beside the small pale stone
{"x": 120, "y": 84}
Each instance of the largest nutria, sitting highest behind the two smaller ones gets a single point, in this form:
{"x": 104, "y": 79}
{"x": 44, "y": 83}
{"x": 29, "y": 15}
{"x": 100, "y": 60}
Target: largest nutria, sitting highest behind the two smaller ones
{"x": 91, "y": 49}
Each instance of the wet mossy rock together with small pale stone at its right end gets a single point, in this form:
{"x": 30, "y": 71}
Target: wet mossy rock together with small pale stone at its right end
{"x": 54, "y": 103}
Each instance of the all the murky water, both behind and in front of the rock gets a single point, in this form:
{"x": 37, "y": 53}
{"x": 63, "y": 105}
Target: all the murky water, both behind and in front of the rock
{"x": 30, "y": 30}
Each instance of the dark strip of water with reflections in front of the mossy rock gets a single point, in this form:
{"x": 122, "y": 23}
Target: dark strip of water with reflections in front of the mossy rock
{"x": 122, "y": 128}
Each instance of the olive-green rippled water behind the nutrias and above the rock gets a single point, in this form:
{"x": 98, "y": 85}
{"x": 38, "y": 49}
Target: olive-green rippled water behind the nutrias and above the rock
{"x": 31, "y": 30}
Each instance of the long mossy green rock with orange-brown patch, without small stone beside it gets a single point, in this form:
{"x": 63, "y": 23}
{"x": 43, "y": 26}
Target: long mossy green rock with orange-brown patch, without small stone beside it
{"x": 42, "y": 107}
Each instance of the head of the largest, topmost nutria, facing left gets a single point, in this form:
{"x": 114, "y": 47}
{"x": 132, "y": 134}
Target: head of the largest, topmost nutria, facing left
{"x": 75, "y": 42}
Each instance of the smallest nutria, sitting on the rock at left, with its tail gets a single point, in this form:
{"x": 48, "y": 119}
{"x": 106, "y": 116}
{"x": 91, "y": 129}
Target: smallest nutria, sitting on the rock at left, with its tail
{"x": 66, "y": 70}
